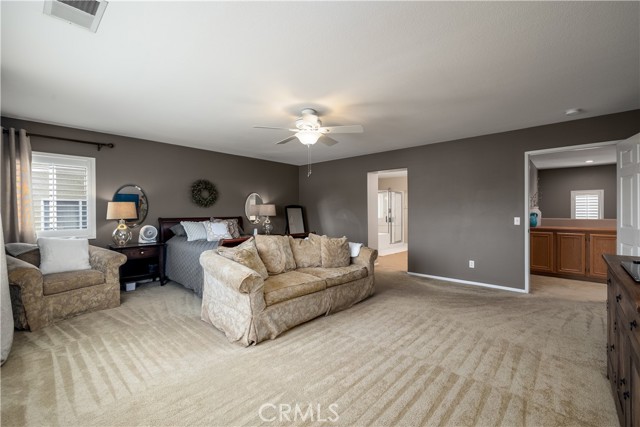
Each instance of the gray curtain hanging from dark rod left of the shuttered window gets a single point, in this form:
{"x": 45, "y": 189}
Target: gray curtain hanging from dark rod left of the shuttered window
{"x": 15, "y": 194}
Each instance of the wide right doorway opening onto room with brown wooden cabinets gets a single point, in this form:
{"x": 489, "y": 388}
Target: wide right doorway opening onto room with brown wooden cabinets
{"x": 554, "y": 249}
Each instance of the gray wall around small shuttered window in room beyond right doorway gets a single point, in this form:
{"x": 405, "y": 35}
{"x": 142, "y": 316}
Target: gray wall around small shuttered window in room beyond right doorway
{"x": 556, "y": 185}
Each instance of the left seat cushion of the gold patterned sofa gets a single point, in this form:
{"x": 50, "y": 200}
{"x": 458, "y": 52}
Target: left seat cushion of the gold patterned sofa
{"x": 289, "y": 285}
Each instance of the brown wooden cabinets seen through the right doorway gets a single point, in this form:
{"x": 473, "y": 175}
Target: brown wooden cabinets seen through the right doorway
{"x": 571, "y": 252}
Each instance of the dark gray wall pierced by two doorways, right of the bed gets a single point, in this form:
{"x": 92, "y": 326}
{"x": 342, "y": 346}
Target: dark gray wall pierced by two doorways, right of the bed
{"x": 464, "y": 195}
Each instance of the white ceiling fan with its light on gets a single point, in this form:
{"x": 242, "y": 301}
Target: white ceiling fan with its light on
{"x": 309, "y": 129}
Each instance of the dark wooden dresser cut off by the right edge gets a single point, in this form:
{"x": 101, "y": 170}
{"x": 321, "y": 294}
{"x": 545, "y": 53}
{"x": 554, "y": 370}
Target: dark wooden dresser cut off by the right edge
{"x": 623, "y": 340}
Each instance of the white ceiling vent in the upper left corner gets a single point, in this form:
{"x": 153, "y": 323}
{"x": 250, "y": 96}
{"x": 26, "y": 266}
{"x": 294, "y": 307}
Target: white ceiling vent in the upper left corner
{"x": 85, "y": 13}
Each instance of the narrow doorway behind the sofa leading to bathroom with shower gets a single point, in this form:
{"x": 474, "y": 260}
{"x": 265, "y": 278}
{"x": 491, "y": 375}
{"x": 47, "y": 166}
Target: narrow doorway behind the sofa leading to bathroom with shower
{"x": 388, "y": 194}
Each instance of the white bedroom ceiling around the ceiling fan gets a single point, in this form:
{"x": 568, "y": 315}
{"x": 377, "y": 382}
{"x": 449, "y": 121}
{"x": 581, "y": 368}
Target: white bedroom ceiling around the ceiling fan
{"x": 201, "y": 74}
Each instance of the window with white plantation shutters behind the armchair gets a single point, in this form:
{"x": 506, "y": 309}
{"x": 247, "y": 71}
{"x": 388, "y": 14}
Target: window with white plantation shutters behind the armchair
{"x": 63, "y": 189}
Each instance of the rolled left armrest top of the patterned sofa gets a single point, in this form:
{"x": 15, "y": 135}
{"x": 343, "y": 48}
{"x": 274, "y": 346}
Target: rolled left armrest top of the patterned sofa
{"x": 230, "y": 273}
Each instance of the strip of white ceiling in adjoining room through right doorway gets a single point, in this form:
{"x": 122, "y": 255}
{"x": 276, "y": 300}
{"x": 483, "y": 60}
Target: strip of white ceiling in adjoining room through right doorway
{"x": 600, "y": 155}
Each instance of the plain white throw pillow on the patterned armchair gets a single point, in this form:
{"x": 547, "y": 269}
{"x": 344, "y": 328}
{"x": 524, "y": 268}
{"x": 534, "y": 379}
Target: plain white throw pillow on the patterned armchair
{"x": 58, "y": 255}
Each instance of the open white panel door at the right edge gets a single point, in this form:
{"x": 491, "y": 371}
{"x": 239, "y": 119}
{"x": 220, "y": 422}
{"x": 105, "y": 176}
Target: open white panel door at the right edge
{"x": 629, "y": 196}
